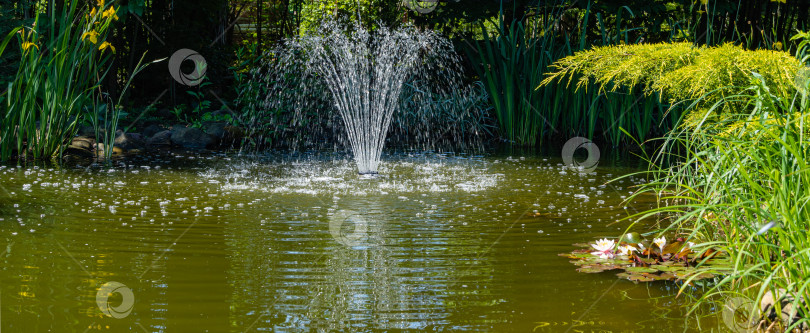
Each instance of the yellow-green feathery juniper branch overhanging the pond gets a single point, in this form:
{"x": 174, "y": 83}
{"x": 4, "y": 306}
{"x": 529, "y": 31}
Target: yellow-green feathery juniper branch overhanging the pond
{"x": 678, "y": 72}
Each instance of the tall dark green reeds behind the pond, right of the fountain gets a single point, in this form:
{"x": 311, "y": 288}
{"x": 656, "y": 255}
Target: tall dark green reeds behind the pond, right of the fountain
{"x": 513, "y": 58}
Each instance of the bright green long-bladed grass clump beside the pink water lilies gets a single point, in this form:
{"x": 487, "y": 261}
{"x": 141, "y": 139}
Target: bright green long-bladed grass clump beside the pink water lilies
{"x": 742, "y": 183}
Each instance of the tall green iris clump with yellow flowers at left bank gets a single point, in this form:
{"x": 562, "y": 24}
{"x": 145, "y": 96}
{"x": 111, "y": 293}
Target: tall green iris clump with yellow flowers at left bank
{"x": 63, "y": 60}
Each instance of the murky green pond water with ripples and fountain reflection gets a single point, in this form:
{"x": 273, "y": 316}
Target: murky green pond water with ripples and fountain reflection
{"x": 219, "y": 243}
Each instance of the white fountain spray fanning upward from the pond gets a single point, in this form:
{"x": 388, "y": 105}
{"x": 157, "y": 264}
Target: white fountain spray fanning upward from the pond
{"x": 364, "y": 71}
